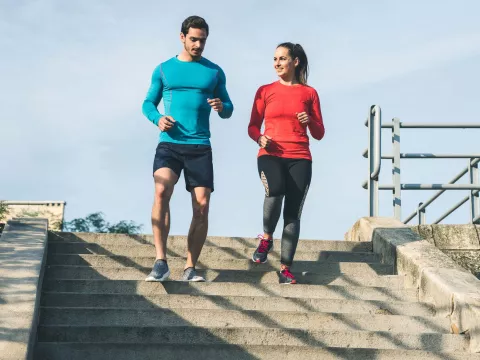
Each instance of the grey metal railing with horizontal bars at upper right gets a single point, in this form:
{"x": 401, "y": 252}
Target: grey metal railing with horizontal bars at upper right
{"x": 373, "y": 153}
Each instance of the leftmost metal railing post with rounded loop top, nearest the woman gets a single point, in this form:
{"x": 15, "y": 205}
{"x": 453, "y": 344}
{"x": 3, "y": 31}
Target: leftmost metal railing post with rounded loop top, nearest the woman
{"x": 374, "y": 156}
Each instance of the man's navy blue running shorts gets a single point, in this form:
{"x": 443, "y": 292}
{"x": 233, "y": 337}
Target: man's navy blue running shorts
{"x": 196, "y": 160}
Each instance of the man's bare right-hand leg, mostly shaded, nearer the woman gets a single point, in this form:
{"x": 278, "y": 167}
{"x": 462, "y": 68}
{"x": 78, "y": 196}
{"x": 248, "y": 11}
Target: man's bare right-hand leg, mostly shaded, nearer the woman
{"x": 199, "y": 226}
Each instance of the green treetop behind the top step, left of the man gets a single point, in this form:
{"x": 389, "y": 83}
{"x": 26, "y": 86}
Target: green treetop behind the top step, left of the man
{"x": 96, "y": 222}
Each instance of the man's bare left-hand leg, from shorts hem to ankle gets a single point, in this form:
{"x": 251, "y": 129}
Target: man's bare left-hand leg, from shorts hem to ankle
{"x": 165, "y": 180}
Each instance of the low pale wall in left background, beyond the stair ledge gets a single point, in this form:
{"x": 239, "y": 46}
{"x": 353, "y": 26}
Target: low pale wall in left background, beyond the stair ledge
{"x": 51, "y": 210}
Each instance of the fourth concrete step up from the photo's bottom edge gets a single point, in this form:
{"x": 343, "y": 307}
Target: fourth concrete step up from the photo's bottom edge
{"x": 240, "y": 303}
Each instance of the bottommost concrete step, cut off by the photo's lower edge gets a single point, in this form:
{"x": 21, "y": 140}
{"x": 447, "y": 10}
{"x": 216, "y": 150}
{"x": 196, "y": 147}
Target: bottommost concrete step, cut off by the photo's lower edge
{"x": 97, "y": 351}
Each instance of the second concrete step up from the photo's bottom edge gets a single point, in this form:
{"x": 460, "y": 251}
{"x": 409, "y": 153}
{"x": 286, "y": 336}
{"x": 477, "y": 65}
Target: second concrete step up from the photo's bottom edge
{"x": 253, "y": 336}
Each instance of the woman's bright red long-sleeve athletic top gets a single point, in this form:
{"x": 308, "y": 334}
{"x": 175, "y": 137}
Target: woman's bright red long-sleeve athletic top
{"x": 278, "y": 105}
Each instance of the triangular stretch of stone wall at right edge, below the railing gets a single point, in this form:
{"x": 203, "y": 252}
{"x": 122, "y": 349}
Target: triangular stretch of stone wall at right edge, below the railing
{"x": 459, "y": 242}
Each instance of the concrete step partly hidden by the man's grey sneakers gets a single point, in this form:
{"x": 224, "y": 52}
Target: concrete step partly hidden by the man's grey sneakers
{"x": 368, "y": 277}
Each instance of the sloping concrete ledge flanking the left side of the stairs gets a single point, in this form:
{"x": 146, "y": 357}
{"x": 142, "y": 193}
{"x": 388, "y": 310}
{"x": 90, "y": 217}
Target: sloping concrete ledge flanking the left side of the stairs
{"x": 22, "y": 255}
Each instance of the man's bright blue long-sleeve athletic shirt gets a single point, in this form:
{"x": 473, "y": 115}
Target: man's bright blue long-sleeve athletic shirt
{"x": 185, "y": 88}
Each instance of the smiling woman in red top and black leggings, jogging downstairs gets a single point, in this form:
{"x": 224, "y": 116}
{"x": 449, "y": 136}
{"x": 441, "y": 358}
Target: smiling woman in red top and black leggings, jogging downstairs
{"x": 289, "y": 107}
